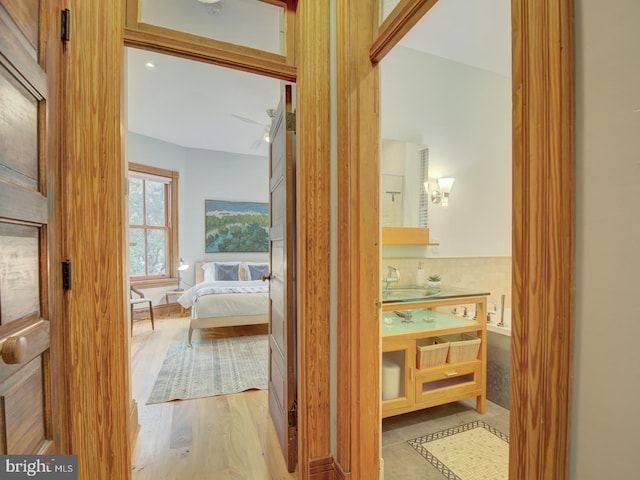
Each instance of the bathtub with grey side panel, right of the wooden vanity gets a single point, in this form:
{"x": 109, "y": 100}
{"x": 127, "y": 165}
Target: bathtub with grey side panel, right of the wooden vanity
{"x": 499, "y": 360}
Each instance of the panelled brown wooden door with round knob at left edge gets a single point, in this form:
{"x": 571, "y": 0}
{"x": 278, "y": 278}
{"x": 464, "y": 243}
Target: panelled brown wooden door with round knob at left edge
{"x": 28, "y": 153}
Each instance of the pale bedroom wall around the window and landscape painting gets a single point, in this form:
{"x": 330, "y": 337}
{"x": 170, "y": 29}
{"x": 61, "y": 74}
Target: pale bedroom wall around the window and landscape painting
{"x": 204, "y": 175}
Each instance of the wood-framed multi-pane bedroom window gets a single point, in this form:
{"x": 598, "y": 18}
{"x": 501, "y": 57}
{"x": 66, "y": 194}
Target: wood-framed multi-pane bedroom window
{"x": 153, "y": 194}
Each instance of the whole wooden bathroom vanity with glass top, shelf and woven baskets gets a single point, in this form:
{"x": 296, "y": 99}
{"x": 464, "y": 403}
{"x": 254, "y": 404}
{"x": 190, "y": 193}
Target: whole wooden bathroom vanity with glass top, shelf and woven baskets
{"x": 414, "y": 322}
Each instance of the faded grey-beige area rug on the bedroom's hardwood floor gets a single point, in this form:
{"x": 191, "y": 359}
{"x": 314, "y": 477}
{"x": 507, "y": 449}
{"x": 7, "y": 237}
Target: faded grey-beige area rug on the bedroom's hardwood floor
{"x": 212, "y": 367}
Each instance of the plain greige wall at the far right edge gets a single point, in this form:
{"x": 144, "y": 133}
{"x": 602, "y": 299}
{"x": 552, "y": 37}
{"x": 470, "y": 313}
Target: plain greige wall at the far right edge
{"x": 604, "y": 416}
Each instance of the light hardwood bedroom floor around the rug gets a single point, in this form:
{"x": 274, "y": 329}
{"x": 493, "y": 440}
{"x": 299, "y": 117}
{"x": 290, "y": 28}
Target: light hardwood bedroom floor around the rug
{"x": 223, "y": 437}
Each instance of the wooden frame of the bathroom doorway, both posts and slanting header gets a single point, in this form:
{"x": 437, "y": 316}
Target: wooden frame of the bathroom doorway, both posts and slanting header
{"x": 543, "y": 233}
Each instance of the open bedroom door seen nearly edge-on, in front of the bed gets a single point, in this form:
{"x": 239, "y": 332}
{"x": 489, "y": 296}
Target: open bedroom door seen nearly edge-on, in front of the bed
{"x": 282, "y": 373}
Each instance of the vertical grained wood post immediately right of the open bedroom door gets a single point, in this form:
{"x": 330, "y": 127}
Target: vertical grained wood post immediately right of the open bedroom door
{"x": 312, "y": 232}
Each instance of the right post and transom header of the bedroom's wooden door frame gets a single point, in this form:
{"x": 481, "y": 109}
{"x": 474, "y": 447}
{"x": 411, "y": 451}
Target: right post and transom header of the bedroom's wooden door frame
{"x": 308, "y": 68}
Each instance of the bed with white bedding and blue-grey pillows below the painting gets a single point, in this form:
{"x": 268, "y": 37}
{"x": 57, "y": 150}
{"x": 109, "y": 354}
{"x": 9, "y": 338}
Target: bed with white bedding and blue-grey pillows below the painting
{"x": 227, "y": 294}
